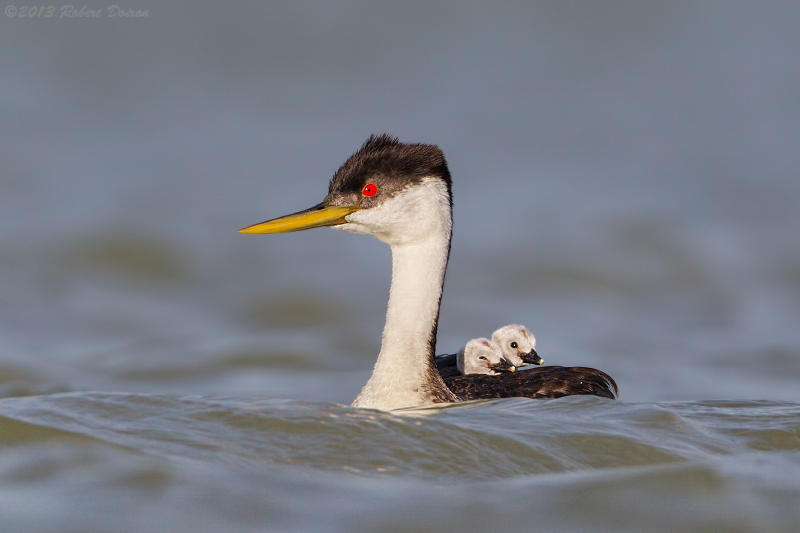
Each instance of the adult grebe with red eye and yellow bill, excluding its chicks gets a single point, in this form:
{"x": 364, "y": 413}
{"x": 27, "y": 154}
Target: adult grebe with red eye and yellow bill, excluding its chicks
{"x": 401, "y": 194}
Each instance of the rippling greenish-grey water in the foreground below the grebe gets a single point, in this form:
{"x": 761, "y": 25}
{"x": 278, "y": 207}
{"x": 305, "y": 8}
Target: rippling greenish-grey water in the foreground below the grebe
{"x": 126, "y": 462}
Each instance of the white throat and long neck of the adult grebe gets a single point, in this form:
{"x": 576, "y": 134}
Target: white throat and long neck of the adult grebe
{"x": 417, "y": 224}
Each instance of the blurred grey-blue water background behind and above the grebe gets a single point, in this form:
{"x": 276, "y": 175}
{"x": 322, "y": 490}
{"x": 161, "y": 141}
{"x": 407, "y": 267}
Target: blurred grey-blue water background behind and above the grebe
{"x": 626, "y": 183}
